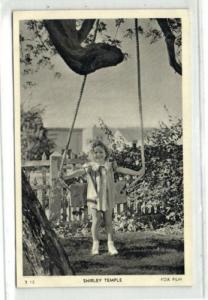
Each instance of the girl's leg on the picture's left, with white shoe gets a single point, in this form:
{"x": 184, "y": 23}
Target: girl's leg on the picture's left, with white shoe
{"x": 96, "y": 216}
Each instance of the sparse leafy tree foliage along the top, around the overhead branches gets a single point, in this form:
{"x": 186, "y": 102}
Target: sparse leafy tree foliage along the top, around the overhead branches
{"x": 36, "y": 48}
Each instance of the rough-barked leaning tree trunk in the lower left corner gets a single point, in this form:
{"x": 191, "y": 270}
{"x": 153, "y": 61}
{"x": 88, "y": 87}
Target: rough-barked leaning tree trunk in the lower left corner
{"x": 43, "y": 253}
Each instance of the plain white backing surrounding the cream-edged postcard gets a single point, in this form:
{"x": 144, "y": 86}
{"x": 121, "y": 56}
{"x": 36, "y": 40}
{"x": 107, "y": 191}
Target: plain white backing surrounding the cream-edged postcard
{"x": 8, "y": 163}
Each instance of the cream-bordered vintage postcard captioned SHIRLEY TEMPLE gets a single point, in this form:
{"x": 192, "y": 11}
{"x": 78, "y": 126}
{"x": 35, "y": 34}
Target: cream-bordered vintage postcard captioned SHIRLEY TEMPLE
{"x": 103, "y": 148}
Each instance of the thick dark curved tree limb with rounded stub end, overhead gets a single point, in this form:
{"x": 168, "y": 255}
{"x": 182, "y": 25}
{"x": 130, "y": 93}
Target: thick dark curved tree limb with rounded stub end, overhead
{"x": 82, "y": 60}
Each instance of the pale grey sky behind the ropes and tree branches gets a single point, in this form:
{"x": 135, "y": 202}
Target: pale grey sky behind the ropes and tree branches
{"x": 110, "y": 93}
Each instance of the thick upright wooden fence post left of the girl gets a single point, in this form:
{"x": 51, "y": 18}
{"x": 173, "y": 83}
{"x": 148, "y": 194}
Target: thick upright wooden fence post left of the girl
{"x": 56, "y": 195}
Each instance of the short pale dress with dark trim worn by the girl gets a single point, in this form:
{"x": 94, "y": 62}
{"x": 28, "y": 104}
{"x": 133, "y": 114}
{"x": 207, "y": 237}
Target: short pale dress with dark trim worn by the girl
{"x": 100, "y": 185}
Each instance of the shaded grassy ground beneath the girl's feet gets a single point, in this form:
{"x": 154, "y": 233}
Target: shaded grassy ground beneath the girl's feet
{"x": 139, "y": 253}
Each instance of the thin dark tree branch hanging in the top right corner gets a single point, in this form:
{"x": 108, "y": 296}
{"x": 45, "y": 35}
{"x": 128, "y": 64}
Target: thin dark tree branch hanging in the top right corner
{"x": 170, "y": 44}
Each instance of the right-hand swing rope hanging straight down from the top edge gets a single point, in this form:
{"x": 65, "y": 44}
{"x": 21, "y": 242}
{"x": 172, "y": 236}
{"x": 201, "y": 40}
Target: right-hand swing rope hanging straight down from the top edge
{"x": 140, "y": 102}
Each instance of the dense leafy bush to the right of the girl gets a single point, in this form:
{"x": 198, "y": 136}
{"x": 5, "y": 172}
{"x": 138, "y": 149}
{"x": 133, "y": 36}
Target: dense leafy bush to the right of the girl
{"x": 158, "y": 198}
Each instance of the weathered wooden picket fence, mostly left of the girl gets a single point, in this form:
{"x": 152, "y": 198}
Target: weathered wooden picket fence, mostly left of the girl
{"x": 55, "y": 199}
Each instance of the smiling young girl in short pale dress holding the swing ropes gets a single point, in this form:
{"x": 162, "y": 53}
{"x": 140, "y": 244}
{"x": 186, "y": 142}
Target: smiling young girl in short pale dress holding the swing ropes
{"x": 101, "y": 191}
